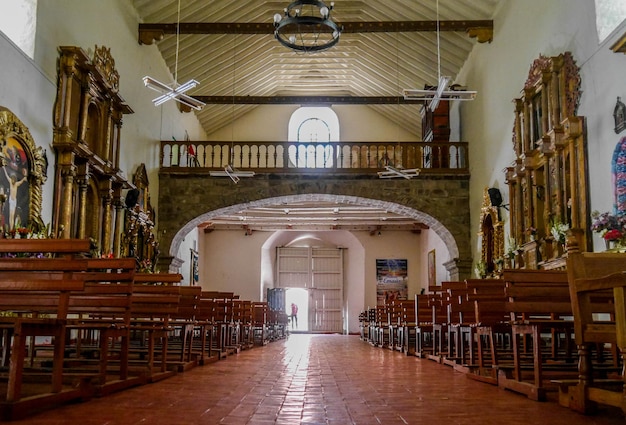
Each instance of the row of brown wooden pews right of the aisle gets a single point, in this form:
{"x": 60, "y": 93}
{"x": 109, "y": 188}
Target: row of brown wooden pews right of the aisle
{"x": 531, "y": 332}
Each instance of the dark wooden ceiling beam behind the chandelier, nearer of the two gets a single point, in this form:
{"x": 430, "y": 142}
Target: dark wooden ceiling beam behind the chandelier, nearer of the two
{"x": 482, "y": 30}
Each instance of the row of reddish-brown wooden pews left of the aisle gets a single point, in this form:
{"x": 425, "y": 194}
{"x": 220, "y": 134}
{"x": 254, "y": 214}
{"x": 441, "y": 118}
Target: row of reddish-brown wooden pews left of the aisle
{"x": 75, "y": 327}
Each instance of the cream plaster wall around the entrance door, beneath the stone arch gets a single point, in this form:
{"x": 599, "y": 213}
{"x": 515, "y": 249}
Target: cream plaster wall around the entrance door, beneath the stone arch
{"x": 230, "y": 261}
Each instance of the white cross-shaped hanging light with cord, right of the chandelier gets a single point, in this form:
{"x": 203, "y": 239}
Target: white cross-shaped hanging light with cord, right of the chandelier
{"x": 443, "y": 90}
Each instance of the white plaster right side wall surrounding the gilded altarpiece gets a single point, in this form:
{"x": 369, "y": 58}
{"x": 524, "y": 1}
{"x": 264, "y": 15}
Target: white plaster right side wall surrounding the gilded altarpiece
{"x": 523, "y": 31}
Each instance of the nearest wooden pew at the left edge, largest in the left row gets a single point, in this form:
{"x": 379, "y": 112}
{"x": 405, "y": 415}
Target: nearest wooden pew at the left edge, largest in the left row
{"x": 34, "y": 301}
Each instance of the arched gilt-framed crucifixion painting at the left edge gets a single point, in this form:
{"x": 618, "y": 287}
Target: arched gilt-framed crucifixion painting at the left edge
{"x": 23, "y": 171}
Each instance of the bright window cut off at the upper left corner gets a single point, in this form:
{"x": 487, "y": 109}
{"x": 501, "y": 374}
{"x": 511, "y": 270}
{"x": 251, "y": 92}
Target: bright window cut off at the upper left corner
{"x": 18, "y": 20}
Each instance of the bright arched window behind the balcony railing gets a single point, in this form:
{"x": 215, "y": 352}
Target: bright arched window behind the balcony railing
{"x": 312, "y": 128}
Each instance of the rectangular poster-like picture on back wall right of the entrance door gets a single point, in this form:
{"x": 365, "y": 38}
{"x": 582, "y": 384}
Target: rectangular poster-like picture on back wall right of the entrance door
{"x": 391, "y": 280}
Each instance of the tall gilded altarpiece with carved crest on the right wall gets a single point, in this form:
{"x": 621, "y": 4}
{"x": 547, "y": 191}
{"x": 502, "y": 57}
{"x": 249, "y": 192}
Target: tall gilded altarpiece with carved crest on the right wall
{"x": 548, "y": 180}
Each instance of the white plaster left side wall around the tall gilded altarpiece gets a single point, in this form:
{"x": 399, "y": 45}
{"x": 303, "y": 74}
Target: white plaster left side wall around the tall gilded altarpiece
{"x": 111, "y": 23}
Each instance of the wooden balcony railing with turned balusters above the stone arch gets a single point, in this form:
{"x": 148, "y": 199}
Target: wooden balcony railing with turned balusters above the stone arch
{"x": 299, "y": 158}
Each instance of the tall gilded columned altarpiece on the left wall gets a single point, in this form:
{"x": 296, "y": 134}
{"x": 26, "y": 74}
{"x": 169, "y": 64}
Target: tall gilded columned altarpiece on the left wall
{"x": 87, "y": 134}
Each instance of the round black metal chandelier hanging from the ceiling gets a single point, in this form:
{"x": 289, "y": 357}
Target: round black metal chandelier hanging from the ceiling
{"x": 306, "y": 26}
